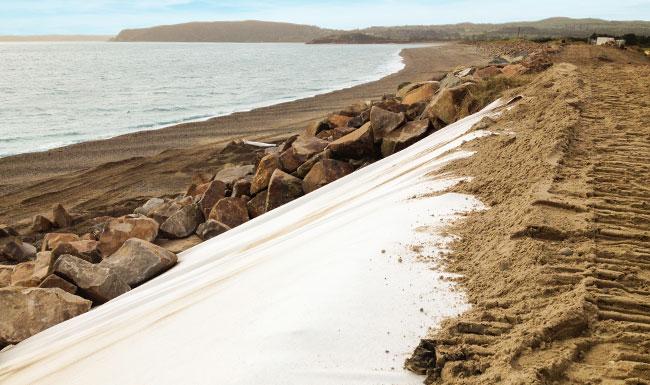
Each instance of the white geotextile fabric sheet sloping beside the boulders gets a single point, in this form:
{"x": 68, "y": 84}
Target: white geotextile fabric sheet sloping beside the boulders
{"x": 301, "y": 295}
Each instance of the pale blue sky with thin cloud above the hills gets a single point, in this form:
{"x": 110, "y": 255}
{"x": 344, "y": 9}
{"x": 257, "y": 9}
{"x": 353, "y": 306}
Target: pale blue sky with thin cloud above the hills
{"x": 108, "y": 17}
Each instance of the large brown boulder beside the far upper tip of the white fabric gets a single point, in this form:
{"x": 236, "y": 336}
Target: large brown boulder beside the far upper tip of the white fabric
{"x": 450, "y": 104}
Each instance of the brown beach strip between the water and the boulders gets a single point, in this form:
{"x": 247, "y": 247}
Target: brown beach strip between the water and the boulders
{"x": 114, "y": 175}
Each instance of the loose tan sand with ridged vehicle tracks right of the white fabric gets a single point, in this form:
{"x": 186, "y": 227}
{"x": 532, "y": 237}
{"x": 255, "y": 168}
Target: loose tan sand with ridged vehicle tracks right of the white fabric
{"x": 558, "y": 268}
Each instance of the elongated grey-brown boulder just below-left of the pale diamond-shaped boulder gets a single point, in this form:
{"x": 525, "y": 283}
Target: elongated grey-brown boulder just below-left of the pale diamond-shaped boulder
{"x": 95, "y": 282}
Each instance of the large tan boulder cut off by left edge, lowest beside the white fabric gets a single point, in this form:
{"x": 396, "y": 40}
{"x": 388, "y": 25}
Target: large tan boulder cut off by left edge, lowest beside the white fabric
{"x": 27, "y": 311}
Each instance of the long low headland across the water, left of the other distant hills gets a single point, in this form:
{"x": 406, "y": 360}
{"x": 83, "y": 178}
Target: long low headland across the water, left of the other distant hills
{"x": 226, "y": 31}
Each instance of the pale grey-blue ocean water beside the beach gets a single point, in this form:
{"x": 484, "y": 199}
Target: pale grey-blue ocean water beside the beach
{"x": 55, "y": 94}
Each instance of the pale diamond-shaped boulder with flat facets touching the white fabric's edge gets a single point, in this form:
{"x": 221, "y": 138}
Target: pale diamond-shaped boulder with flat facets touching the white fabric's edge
{"x": 138, "y": 261}
